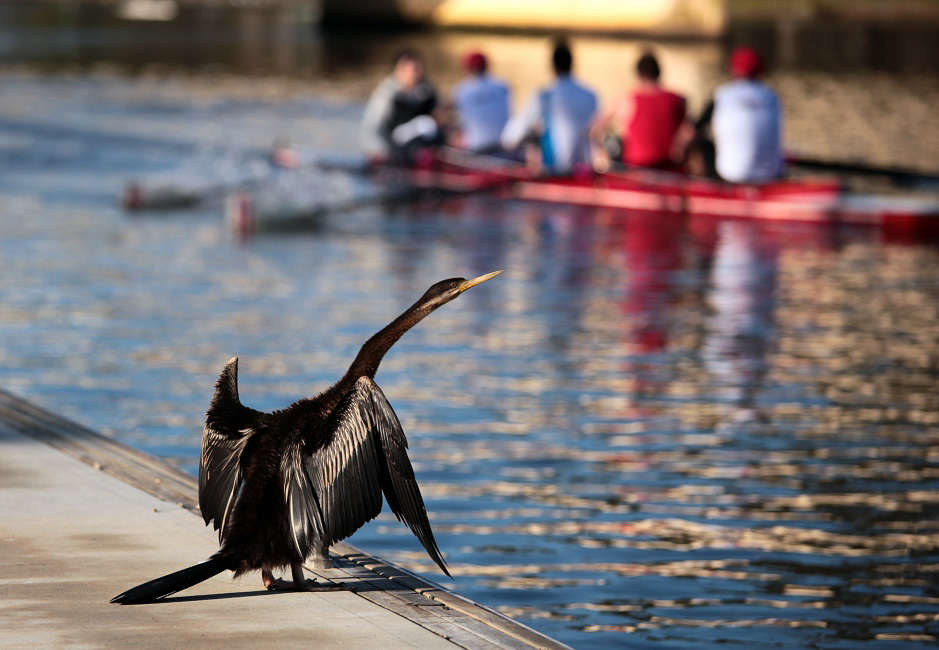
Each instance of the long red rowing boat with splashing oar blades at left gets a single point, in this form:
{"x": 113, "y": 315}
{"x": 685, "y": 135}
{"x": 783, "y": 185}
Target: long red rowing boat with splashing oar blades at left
{"x": 260, "y": 198}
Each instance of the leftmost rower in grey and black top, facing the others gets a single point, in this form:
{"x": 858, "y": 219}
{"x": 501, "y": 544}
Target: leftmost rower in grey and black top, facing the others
{"x": 399, "y": 117}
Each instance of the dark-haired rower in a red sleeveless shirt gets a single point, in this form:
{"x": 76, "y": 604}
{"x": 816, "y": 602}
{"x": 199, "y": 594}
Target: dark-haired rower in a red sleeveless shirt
{"x": 652, "y": 119}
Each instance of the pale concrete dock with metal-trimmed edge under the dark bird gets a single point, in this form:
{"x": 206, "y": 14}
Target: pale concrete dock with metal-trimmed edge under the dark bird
{"x": 73, "y": 534}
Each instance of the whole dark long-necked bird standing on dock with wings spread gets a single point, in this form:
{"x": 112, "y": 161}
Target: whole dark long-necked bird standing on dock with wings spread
{"x": 281, "y": 487}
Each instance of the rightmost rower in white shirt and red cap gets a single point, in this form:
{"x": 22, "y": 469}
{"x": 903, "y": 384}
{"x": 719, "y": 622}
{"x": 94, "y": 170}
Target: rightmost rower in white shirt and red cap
{"x": 747, "y": 124}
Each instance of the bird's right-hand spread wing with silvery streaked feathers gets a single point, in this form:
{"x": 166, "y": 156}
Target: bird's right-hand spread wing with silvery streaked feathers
{"x": 335, "y": 489}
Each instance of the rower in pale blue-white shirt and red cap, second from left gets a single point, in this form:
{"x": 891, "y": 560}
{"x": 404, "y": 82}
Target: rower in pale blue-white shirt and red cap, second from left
{"x": 482, "y": 106}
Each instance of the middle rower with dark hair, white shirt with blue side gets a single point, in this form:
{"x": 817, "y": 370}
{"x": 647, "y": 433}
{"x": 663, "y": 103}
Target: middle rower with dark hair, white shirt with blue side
{"x": 561, "y": 115}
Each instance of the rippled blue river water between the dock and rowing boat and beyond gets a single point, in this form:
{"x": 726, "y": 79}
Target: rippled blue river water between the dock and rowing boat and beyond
{"x": 650, "y": 431}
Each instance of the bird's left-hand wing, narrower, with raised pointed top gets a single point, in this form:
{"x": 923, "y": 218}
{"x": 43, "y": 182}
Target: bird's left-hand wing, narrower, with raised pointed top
{"x": 228, "y": 427}
